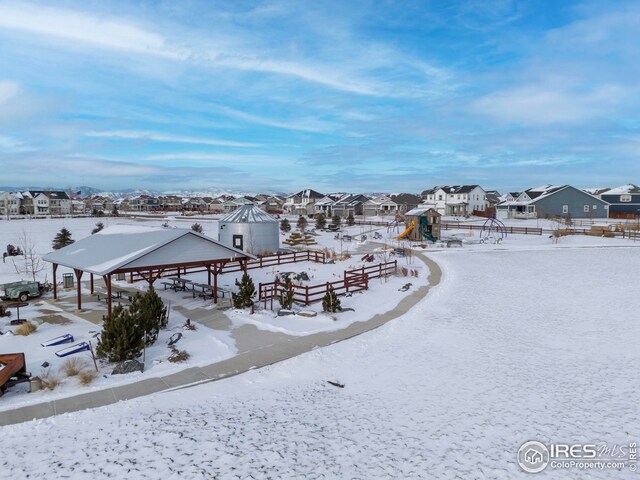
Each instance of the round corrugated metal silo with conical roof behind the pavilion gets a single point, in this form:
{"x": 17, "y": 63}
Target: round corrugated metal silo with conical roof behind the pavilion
{"x": 250, "y": 229}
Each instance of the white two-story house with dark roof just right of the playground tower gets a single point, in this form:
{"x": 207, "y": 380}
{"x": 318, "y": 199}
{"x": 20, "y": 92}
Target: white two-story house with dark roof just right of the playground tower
{"x": 457, "y": 200}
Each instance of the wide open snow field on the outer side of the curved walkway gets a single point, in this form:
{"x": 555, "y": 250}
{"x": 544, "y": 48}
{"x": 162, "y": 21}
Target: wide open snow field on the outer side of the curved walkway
{"x": 527, "y": 340}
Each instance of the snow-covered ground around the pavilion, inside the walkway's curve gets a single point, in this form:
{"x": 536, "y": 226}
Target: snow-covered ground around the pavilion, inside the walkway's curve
{"x": 211, "y": 343}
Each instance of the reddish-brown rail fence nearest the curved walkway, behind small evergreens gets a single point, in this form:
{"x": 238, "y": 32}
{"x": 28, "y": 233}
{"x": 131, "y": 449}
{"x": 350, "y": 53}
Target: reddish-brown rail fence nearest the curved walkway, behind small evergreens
{"x": 353, "y": 281}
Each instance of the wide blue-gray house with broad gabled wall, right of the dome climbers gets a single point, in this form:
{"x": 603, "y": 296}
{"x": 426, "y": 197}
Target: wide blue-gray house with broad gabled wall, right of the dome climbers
{"x": 550, "y": 200}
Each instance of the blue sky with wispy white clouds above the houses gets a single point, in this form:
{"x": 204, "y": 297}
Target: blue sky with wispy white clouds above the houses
{"x": 283, "y": 95}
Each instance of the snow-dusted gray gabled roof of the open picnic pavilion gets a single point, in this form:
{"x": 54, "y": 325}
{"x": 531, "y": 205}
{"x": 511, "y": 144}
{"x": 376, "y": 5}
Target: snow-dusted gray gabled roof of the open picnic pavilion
{"x": 131, "y": 246}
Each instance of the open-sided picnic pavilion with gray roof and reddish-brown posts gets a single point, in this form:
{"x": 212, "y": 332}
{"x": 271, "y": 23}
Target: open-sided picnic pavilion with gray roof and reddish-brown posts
{"x": 146, "y": 251}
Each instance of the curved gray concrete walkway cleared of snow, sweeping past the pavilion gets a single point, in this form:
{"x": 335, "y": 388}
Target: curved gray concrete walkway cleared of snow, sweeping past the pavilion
{"x": 254, "y": 351}
